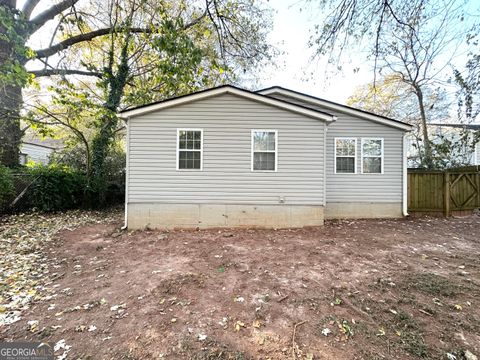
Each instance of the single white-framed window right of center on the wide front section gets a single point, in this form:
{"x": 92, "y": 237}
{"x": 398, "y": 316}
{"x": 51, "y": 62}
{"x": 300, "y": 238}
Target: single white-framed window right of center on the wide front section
{"x": 264, "y": 150}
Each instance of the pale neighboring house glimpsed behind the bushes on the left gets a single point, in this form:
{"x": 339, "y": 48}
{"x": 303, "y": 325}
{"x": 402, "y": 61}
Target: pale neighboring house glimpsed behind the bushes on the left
{"x": 38, "y": 150}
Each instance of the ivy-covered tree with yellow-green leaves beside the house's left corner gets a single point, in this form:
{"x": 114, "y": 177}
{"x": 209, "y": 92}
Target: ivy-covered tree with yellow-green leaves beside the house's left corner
{"x": 188, "y": 49}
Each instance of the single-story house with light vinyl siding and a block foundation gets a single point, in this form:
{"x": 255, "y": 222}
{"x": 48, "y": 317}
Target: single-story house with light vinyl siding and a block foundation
{"x": 228, "y": 157}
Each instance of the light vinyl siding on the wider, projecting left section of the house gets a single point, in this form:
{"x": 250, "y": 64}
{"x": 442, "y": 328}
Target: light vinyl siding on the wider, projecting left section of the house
{"x": 226, "y": 178}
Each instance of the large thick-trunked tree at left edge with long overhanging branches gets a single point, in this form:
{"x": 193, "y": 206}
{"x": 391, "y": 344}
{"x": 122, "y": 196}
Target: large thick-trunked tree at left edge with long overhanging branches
{"x": 238, "y": 26}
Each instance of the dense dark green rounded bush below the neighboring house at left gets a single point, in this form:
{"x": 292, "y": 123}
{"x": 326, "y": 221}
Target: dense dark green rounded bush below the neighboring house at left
{"x": 56, "y": 187}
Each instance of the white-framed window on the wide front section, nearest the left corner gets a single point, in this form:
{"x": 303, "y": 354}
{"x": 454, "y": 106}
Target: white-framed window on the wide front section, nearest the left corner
{"x": 189, "y": 149}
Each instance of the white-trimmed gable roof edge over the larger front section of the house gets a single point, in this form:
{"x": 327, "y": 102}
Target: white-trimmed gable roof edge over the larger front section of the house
{"x": 226, "y": 89}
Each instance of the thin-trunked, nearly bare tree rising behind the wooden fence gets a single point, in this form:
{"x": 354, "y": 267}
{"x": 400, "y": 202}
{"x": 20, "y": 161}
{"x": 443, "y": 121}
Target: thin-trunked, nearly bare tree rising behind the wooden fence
{"x": 415, "y": 41}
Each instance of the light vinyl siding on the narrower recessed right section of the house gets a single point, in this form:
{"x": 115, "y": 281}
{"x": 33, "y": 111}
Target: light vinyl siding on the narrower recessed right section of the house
{"x": 350, "y": 188}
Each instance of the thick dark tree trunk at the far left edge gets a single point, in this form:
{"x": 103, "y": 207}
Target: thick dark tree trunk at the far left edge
{"x": 10, "y": 101}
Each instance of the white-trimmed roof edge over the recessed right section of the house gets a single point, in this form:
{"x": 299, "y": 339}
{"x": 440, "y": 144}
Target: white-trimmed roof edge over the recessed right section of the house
{"x": 335, "y": 106}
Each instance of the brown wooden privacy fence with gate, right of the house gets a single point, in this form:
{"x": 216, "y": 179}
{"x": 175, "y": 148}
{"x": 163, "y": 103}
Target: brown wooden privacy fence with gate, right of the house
{"x": 443, "y": 191}
